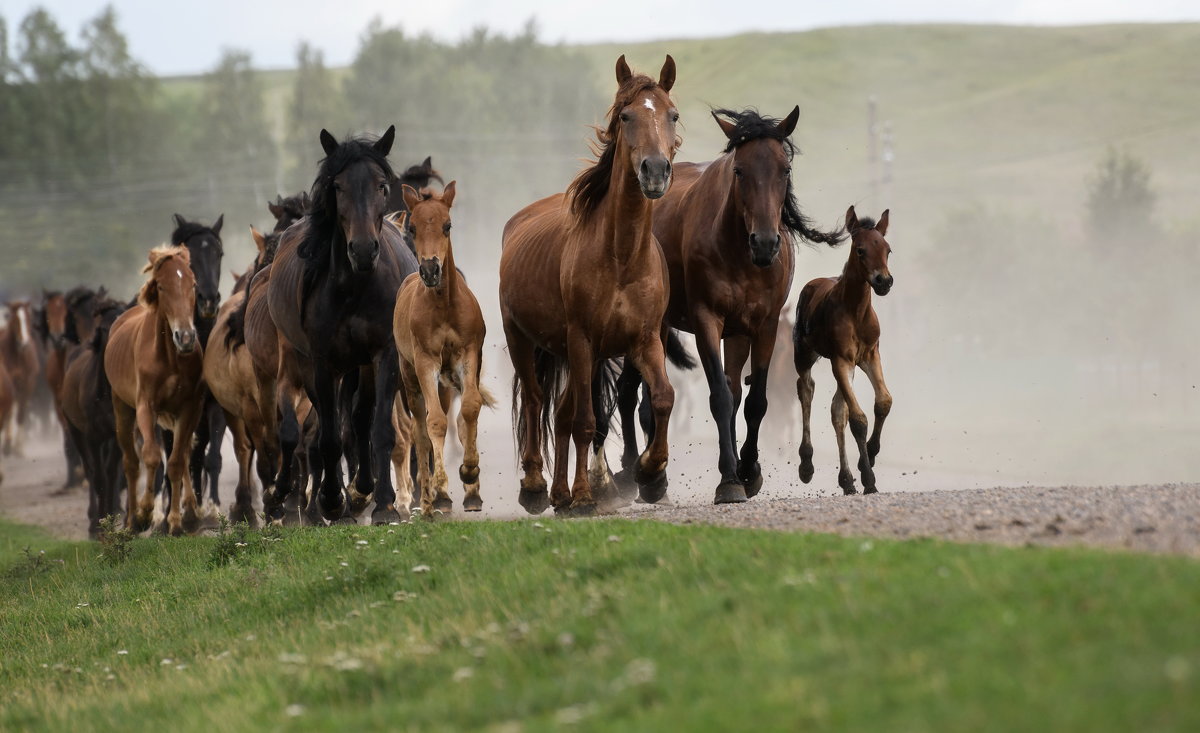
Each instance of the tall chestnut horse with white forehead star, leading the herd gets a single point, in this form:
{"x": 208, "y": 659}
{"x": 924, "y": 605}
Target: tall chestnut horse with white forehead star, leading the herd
{"x": 583, "y": 281}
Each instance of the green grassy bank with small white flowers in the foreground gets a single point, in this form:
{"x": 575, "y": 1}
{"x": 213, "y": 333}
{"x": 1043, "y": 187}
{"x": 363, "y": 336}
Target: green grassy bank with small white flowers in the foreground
{"x": 608, "y": 624}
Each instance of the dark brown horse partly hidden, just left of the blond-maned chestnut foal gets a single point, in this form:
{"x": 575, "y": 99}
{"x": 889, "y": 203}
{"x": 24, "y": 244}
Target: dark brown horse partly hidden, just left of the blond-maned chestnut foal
{"x": 87, "y": 400}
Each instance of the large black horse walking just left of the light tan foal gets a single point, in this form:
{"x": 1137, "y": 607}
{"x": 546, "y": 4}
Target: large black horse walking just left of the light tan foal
{"x": 332, "y": 296}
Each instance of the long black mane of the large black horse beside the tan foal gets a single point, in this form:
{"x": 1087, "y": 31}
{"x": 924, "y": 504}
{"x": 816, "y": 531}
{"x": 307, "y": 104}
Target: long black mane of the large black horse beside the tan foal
{"x": 322, "y": 217}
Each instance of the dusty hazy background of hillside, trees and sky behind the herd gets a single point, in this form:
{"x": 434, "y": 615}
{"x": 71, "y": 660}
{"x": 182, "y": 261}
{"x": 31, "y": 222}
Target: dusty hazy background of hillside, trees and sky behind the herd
{"x": 1040, "y": 163}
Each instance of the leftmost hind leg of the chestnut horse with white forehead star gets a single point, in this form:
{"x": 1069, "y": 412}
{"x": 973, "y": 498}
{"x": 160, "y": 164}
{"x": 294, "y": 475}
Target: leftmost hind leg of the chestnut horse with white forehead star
{"x": 529, "y": 400}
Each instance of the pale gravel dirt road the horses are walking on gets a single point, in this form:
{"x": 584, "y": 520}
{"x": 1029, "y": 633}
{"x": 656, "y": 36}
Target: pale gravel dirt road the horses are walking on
{"x": 1162, "y": 519}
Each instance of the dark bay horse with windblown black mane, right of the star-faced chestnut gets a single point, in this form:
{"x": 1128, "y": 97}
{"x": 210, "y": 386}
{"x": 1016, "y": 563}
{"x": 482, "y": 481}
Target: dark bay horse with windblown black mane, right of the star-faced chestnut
{"x": 728, "y": 229}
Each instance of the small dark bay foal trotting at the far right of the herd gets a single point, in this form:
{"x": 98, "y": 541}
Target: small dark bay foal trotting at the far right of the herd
{"x": 835, "y": 320}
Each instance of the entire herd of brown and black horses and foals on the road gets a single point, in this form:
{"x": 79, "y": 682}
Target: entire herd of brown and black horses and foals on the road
{"x": 347, "y": 341}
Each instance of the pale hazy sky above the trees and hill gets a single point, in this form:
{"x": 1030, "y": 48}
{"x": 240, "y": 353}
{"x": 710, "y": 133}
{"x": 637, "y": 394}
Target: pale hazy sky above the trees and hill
{"x": 172, "y": 37}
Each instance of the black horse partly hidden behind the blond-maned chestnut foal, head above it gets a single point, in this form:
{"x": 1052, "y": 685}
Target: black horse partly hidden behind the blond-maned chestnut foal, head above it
{"x": 207, "y": 250}
